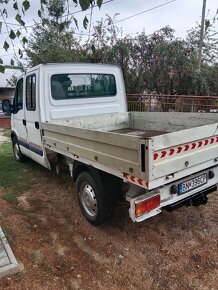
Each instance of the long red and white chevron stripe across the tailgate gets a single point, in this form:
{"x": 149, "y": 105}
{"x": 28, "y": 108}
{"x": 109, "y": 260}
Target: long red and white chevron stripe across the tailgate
{"x": 197, "y": 145}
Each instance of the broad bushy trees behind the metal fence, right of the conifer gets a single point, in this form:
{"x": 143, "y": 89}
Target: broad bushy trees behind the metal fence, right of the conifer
{"x": 159, "y": 62}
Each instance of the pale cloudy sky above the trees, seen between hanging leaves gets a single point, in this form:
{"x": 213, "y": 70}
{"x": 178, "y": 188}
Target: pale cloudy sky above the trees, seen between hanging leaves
{"x": 181, "y": 15}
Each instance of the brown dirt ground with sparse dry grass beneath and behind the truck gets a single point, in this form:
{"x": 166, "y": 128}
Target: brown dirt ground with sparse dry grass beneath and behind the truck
{"x": 59, "y": 249}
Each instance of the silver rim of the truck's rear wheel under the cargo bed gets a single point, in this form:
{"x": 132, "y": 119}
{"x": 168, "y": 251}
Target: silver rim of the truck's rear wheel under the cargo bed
{"x": 88, "y": 199}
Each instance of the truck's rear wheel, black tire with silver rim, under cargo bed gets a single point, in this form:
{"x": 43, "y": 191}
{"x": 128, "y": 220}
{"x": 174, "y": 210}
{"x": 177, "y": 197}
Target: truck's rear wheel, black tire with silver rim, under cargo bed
{"x": 95, "y": 201}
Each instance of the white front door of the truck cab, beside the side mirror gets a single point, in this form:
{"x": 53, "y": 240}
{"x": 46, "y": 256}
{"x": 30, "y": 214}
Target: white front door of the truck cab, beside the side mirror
{"x": 18, "y": 118}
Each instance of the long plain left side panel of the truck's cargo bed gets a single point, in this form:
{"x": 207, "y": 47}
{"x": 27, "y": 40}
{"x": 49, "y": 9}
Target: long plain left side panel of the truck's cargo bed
{"x": 118, "y": 152}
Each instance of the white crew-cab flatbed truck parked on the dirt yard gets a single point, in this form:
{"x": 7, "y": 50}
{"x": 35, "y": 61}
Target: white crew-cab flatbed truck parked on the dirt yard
{"x": 76, "y": 114}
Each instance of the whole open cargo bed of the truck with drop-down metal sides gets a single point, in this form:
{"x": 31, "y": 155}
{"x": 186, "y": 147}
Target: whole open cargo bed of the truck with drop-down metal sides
{"x": 142, "y": 145}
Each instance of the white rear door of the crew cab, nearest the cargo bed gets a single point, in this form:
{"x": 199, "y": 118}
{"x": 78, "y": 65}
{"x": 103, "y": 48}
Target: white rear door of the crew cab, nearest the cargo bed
{"x": 37, "y": 152}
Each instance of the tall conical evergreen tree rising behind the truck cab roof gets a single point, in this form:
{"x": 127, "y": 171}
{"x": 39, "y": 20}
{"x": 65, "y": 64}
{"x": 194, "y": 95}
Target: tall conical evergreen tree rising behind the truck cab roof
{"x": 52, "y": 40}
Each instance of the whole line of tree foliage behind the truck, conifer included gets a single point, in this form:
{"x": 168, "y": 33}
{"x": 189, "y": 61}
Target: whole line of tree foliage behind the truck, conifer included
{"x": 158, "y": 63}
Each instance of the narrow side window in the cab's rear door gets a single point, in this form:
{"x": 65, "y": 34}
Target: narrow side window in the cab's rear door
{"x": 31, "y": 93}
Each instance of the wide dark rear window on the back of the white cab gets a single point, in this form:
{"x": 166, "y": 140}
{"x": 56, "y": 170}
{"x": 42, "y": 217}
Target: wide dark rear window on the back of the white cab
{"x": 75, "y": 86}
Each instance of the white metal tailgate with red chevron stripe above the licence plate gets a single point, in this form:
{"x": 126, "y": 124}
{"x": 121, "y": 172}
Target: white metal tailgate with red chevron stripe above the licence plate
{"x": 175, "y": 155}
